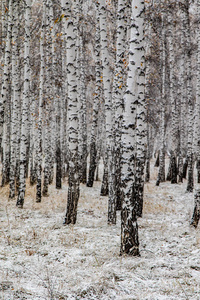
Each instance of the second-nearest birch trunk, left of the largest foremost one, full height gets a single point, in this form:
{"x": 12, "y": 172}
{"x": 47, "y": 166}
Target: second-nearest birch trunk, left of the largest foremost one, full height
{"x": 73, "y": 180}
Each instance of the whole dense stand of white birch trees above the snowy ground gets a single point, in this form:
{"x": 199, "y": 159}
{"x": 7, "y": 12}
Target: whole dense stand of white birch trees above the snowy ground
{"x": 89, "y": 81}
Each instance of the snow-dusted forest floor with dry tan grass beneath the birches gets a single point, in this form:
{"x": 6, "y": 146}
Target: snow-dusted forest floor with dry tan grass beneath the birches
{"x": 42, "y": 259}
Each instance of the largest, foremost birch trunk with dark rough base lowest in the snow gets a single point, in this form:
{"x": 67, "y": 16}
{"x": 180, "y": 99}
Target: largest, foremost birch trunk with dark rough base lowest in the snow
{"x": 134, "y": 93}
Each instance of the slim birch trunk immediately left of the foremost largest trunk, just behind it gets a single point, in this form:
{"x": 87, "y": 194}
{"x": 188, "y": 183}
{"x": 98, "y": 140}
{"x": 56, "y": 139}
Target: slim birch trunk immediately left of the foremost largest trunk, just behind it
{"x": 118, "y": 92}
